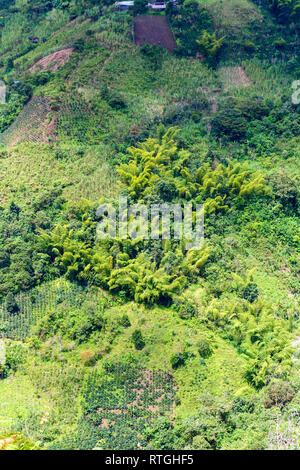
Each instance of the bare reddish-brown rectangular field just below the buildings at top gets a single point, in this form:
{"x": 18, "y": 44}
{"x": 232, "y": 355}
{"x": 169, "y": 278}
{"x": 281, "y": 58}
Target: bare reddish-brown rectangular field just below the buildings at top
{"x": 150, "y": 29}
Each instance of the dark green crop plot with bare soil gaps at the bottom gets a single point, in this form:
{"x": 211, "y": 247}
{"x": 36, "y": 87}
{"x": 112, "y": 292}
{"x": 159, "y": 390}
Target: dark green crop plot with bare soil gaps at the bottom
{"x": 119, "y": 410}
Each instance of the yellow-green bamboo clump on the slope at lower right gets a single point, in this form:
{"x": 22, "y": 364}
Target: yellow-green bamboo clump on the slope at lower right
{"x": 259, "y": 335}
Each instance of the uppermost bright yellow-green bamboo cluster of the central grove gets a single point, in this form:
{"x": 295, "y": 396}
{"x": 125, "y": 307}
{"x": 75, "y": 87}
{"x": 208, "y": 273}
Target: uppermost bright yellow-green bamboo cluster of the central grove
{"x": 160, "y": 158}
